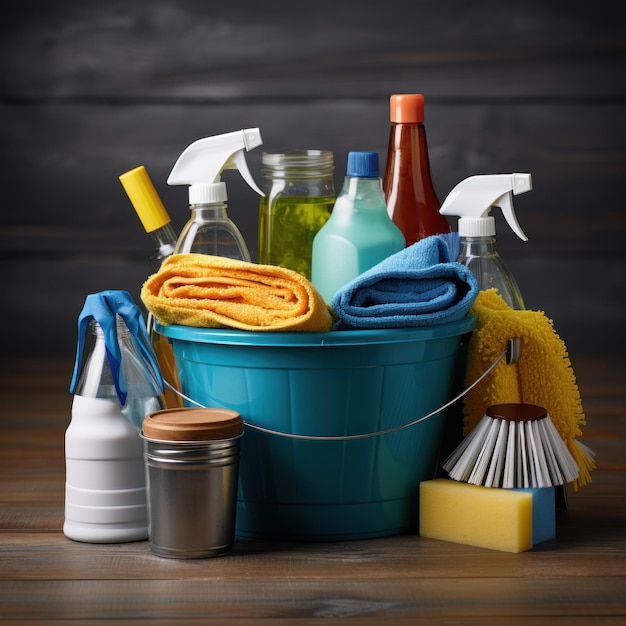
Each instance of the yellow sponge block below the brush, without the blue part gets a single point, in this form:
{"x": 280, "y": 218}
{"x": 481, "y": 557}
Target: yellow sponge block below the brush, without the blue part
{"x": 486, "y": 517}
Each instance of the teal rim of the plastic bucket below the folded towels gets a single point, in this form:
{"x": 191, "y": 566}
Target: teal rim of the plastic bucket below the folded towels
{"x": 299, "y": 339}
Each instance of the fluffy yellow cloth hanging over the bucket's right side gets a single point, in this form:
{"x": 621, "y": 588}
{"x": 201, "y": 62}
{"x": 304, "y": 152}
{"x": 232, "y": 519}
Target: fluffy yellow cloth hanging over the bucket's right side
{"x": 542, "y": 375}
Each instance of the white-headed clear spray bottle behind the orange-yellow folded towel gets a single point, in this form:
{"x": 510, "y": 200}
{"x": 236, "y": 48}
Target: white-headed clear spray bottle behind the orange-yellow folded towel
{"x": 210, "y": 230}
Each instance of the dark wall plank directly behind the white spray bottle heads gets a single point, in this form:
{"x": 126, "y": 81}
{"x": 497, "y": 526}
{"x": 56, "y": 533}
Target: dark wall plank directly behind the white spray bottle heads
{"x": 463, "y": 140}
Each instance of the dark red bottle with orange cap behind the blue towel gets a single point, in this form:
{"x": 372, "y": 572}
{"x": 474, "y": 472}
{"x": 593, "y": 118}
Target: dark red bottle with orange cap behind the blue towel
{"x": 412, "y": 202}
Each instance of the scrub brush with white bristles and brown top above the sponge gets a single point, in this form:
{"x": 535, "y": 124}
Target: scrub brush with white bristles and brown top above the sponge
{"x": 513, "y": 446}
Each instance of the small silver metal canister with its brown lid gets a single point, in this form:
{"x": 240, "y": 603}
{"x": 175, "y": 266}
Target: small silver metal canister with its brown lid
{"x": 192, "y": 469}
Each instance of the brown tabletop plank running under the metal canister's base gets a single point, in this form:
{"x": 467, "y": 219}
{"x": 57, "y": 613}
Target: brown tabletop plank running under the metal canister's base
{"x": 409, "y": 556}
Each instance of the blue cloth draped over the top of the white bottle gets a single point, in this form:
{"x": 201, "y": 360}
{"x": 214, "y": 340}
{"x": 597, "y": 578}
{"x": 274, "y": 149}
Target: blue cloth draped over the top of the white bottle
{"x": 104, "y": 307}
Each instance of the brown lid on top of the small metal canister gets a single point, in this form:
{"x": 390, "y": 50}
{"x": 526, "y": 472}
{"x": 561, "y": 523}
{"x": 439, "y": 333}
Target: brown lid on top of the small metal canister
{"x": 190, "y": 424}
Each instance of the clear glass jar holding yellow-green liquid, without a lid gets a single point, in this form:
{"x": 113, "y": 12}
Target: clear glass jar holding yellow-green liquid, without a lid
{"x": 299, "y": 197}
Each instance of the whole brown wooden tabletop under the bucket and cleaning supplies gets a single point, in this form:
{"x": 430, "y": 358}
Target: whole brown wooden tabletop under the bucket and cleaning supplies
{"x": 577, "y": 578}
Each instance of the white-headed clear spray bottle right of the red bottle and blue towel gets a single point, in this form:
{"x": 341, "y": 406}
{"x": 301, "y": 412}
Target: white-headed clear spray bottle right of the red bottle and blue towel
{"x": 472, "y": 200}
